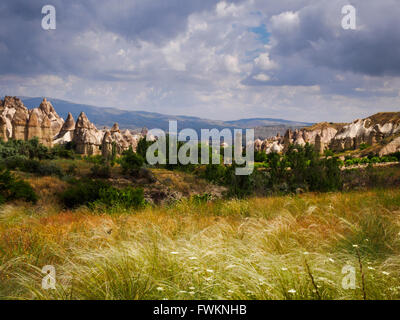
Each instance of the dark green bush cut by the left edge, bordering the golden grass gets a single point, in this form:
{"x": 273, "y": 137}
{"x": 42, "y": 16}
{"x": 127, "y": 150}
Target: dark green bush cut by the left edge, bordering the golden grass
{"x": 12, "y": 188}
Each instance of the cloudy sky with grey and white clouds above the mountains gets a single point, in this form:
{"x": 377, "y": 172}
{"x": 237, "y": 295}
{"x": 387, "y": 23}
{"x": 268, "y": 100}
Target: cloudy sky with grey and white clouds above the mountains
{"x": 223, "y": 60}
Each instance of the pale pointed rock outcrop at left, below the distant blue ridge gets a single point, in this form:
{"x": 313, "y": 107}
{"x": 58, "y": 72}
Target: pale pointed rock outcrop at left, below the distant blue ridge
{"x": 17, "y": 122}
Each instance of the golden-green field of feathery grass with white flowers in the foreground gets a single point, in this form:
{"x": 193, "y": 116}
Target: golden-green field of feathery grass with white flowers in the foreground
{"x": 289, "y": 247}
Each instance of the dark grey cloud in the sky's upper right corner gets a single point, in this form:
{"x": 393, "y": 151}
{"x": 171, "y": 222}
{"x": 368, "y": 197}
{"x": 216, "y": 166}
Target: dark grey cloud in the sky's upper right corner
{"x": 373, "y": 49}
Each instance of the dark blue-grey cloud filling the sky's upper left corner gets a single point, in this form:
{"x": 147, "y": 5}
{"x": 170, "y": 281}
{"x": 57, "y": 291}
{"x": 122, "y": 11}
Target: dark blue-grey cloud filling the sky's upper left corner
{"x": 25, "y": 48}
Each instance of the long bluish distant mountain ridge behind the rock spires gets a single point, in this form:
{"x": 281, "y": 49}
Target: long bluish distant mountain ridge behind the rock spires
{"x": 133, "y": 120}
